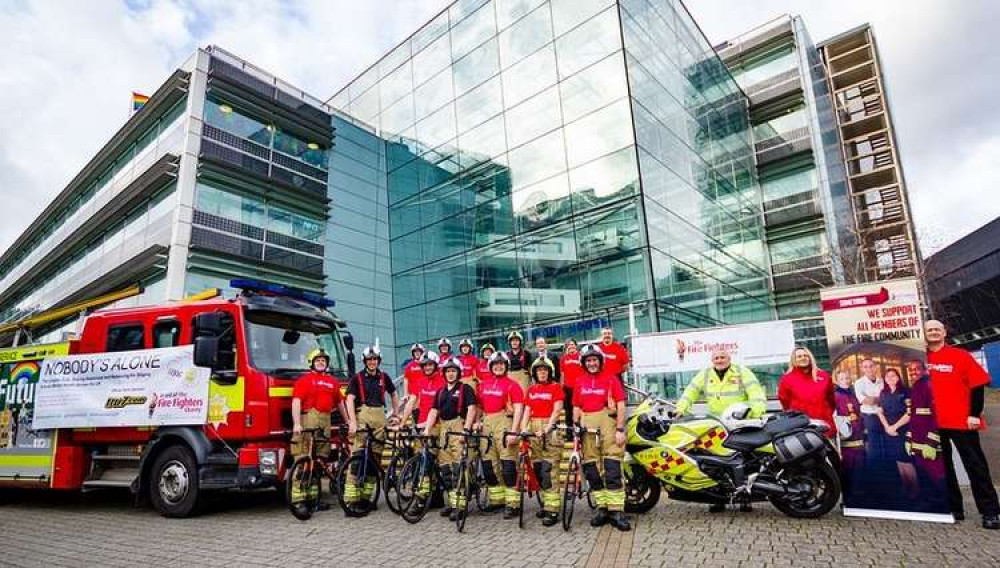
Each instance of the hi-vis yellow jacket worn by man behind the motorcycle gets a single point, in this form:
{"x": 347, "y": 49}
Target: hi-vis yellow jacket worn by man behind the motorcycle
{"x": 738, "y": 385}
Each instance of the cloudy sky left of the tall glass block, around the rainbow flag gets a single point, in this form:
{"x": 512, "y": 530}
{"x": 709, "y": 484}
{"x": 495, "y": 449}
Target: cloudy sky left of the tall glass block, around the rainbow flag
{"x": 70, "y": 67}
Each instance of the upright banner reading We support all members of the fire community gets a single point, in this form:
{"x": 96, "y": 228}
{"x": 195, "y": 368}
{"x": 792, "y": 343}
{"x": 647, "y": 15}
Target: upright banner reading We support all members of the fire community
{"x": 891, "y": 460}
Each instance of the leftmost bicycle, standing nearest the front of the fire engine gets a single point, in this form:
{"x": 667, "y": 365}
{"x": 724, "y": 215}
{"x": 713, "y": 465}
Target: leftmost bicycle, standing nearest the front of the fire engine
{"x": 304, "y": 483}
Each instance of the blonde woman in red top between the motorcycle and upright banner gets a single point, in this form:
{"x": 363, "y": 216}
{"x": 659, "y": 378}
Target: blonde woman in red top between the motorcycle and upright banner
{"x": 808, "y": 389}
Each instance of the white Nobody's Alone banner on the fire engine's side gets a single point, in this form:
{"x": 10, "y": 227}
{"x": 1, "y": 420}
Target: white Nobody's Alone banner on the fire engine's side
{"x": 150, "y": 387}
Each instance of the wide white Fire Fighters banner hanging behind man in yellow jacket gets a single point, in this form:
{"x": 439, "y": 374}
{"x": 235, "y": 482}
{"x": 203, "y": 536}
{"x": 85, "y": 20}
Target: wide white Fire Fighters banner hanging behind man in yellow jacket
{"x": 750, "y": 344}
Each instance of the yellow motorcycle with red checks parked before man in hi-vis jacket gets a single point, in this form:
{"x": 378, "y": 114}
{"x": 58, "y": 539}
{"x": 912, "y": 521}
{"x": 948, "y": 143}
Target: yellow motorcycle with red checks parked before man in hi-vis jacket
{"x": 785, "y": 459}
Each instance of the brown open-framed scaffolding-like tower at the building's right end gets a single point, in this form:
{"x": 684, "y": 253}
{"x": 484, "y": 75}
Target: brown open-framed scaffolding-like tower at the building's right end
{"x": 878, "y": 190}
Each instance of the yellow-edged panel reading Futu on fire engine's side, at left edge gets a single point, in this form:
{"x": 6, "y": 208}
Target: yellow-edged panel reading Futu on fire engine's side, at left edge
{"x": 25, "y": 453}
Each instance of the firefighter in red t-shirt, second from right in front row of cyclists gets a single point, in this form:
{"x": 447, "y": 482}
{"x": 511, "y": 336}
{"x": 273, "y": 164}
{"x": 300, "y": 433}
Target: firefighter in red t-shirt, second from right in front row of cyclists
{"x": 543, "y": 404}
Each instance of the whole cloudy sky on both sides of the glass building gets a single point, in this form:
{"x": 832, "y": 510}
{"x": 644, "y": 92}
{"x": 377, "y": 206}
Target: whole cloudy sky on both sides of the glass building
{"x": 69, "y": 68}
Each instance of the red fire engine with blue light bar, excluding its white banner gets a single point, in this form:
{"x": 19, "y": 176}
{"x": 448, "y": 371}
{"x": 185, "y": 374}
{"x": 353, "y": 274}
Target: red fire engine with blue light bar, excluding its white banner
{"x": 255, "y": 344}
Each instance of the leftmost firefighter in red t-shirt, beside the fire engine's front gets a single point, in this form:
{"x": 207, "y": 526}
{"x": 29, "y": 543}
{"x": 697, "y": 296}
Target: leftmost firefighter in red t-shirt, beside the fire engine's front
{"x": 314, "y": 397}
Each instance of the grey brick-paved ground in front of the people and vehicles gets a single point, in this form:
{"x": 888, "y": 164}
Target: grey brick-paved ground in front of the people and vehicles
{"x": 102, "y": 529}
